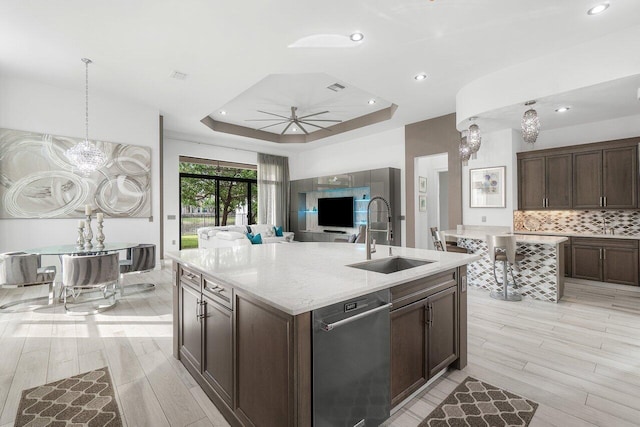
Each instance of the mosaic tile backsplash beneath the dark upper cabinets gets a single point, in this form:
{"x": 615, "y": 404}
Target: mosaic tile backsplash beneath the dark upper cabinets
{"x": 623, "y": 222}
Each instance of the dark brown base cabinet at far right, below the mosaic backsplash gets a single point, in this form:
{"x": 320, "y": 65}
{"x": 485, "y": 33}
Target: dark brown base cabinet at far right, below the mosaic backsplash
{"x": 607, "y": 260}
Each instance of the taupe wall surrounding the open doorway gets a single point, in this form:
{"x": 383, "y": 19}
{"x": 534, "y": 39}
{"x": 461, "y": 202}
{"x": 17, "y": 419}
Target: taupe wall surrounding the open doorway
{"x": 434, "y": 136}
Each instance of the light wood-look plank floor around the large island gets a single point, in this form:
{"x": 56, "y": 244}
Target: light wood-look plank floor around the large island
{"x": 579, "y": 359}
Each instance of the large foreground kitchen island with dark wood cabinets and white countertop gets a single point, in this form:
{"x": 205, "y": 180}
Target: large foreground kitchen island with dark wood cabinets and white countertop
{"x": 244, "y": 323}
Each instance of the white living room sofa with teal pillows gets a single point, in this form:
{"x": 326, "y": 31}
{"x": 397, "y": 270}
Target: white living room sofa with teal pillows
{"x": 236, "y": 235}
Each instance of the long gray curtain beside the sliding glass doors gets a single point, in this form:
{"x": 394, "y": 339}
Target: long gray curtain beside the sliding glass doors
{"x": 273, "y": 190}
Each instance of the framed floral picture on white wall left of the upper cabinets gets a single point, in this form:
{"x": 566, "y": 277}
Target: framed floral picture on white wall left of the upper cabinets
{"x": 486, "y": 187}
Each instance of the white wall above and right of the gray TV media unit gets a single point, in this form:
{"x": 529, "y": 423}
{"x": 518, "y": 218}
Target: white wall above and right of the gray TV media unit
{"x": 385, "y": 149}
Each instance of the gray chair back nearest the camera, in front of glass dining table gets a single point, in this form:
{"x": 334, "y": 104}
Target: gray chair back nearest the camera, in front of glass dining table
{"x": 90, "y": 270}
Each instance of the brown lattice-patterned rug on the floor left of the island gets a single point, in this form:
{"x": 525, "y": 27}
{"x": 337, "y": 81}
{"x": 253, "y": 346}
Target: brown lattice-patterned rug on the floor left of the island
{"x": 82, "y": 400}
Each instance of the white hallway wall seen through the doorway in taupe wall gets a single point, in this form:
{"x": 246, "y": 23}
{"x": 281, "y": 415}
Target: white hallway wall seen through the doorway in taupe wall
{"x": 428, "y": 167}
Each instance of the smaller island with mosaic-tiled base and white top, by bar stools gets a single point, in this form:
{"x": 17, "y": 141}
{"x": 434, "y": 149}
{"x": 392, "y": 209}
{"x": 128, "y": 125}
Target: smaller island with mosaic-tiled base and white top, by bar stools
{"x": 540, "y": 275}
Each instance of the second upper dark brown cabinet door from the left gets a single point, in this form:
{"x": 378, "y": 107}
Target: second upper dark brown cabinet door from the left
{"x": 558, "y": 173}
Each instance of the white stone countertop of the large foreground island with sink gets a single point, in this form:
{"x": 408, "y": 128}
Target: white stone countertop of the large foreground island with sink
{"x": 300, "y": 277}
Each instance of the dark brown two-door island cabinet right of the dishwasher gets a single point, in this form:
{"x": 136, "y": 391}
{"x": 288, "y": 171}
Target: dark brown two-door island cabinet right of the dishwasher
{"x": 424, "y": 332}
